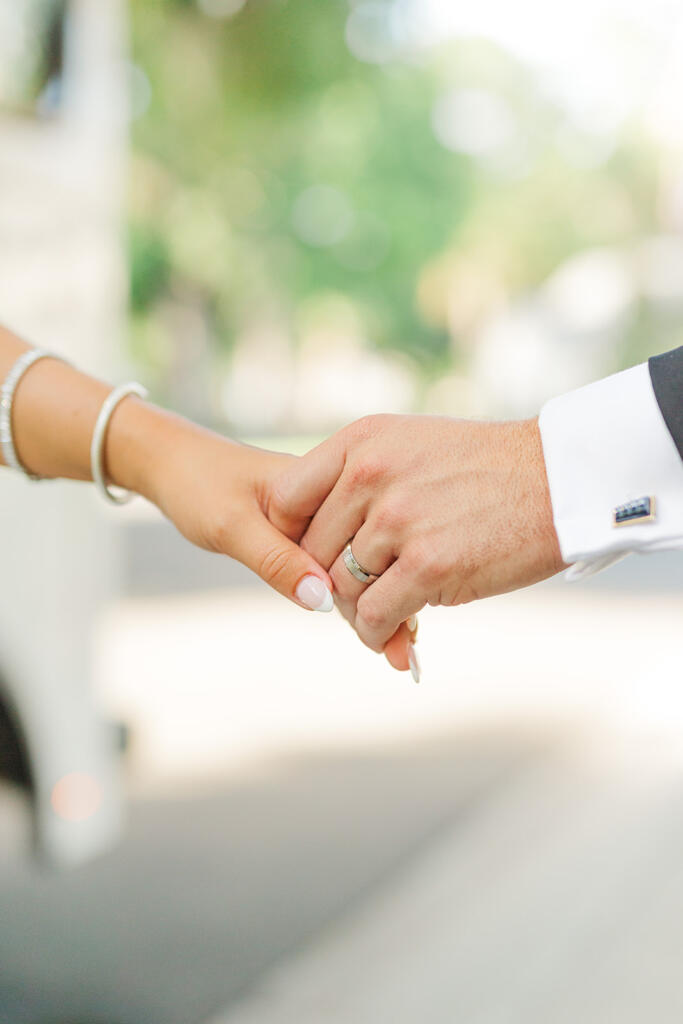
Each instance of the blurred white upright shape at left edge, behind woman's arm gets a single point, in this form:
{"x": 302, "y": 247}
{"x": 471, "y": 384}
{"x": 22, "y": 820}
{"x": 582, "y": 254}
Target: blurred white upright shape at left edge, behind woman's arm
{"x": 63, "y": 287}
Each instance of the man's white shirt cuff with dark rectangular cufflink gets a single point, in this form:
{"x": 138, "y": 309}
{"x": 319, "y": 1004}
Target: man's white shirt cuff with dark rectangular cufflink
{"x": 607, "y": 446}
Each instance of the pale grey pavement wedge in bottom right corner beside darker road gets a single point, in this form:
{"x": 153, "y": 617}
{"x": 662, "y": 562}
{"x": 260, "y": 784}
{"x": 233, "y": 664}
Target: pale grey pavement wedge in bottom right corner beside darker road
{"x": 562, "y": 901}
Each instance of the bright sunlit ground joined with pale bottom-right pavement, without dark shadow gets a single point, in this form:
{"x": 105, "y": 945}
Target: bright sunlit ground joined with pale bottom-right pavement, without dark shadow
{"x": 560, "y": 900}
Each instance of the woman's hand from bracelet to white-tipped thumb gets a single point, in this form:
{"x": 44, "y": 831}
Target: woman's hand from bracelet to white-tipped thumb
{"x": 217, "y": 493}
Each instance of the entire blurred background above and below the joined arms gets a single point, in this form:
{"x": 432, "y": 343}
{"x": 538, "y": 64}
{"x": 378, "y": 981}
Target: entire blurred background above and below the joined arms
{"x": 282, "y": 216}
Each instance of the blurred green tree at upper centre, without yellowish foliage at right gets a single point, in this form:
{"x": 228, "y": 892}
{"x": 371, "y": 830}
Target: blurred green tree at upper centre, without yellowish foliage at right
{"x": 277, "y": 166}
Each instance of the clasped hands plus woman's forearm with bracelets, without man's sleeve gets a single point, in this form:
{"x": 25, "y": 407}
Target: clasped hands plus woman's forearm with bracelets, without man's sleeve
{"x": 392, "y": 514}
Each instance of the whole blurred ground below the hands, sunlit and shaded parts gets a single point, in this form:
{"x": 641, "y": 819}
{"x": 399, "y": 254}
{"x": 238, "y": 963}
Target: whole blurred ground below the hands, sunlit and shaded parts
{"x": 318, "y": 838}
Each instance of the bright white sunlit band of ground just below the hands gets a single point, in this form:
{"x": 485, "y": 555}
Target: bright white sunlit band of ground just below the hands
{"x": 221, "y": 684}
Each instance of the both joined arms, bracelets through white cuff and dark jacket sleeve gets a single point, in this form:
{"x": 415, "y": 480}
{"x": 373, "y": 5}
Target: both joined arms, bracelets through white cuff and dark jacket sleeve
{"x": 393, "y": 513}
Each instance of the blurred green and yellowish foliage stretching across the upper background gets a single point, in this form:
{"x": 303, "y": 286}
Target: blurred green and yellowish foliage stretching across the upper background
{"x": 248, "y": 113}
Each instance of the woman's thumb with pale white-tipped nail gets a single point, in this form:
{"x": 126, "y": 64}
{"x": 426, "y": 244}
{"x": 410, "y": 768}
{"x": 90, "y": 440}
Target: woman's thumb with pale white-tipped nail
{"x": 283, "y": 565}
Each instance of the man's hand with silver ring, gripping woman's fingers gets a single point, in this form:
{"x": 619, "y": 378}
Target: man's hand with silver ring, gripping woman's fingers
{"x": 446, "y": 511}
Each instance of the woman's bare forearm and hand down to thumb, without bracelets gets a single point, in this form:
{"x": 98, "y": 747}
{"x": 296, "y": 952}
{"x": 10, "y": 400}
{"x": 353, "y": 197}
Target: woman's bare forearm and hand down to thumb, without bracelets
{"x": 216, "y": 491}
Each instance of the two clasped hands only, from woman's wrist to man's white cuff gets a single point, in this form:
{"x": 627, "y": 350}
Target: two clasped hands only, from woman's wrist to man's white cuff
{"x": 436, "y": 510}
